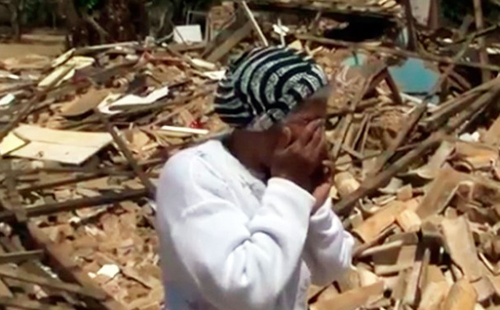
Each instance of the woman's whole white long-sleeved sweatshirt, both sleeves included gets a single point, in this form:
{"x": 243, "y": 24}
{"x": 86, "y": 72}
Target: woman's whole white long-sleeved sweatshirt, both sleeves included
{"x": 228, "y": 242}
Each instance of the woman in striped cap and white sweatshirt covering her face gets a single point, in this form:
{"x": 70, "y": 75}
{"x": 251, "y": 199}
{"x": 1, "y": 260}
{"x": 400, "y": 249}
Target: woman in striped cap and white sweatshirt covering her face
{"x": 245, "y": 223}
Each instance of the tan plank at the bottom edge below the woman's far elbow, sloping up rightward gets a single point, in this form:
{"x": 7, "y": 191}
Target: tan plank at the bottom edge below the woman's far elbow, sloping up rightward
{"x": 353, "y": 299}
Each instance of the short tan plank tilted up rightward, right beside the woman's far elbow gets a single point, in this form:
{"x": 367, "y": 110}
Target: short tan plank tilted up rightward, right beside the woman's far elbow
{"x": 381, "y": 220}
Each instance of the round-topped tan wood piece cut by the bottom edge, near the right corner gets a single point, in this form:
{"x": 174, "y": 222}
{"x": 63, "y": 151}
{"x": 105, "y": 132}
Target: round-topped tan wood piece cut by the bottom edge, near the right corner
{"x": 462, "y": 296}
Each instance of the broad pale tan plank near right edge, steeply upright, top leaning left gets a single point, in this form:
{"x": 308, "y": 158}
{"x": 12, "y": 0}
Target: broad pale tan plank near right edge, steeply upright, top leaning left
{"x": 460, "y": 244}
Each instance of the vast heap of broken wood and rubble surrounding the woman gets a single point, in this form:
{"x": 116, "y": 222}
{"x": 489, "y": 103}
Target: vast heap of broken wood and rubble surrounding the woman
{"x": 417, "y": 175}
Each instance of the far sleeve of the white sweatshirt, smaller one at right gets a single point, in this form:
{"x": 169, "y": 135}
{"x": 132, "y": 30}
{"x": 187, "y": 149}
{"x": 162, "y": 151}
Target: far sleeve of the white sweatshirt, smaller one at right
{"x": 328, "y": 250}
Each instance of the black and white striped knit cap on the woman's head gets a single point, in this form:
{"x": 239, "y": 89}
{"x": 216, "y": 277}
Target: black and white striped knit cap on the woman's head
{"x": 264, "y": 85}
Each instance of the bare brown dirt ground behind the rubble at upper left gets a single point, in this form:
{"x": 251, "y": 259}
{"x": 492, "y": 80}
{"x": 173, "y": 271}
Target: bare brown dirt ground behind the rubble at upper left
{"x": 41, "y": 42}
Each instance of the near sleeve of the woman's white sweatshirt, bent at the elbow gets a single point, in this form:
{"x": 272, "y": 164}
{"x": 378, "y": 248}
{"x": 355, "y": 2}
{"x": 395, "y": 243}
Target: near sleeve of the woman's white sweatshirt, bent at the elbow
{"x": 237, "y": 262}
